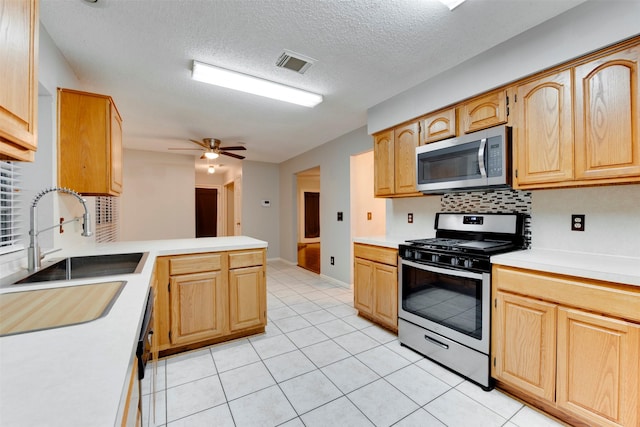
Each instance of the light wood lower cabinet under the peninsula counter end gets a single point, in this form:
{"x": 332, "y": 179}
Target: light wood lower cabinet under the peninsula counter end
{"x": 210, "y": 297}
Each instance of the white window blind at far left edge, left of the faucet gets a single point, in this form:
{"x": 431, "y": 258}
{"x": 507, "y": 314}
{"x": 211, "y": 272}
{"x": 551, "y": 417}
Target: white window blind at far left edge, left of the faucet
{"x": 10, "y": 222}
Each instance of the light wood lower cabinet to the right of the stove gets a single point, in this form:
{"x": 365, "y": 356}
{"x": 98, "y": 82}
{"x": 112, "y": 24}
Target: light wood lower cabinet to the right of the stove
{"x": 568, "y": 345}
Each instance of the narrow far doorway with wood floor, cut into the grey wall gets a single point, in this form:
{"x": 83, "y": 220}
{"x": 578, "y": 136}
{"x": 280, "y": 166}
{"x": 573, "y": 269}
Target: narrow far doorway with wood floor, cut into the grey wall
{"x": 308, "y": 185}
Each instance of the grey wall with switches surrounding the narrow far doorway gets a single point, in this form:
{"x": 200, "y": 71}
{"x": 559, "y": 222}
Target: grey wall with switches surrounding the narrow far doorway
{"x": 334, "y": 161}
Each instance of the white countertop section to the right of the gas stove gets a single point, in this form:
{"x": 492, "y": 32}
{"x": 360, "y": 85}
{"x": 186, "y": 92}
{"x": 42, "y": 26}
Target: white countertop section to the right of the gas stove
{"x": 610, "y": 268}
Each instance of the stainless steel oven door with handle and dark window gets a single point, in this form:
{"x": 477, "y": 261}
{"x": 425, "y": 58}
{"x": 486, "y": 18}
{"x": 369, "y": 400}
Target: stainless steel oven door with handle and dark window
{"x": 453, "y": 303}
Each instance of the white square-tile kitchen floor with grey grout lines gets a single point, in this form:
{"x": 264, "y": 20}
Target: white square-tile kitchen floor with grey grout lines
{"x": 319, "y": 364}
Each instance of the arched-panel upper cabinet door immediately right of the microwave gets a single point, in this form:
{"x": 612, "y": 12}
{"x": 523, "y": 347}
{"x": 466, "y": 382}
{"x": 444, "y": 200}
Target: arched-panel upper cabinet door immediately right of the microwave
{"x": 543, "y": 134}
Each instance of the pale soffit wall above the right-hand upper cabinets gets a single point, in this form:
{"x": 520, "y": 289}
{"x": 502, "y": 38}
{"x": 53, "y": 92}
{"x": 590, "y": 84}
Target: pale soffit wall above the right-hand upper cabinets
{"x": 587, "y": 27}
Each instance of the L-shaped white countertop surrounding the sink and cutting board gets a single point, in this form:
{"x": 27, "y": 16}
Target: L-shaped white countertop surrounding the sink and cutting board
{"x": 75, "y": 376}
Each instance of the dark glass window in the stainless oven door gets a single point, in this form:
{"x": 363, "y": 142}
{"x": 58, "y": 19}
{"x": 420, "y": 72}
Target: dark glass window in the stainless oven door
{"x": 455, "y": 302}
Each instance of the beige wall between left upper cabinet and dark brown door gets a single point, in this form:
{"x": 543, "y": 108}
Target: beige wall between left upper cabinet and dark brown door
{"x": 158, "y": 196}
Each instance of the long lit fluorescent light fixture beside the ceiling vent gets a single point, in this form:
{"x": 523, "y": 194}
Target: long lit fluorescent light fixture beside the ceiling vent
{"x": 243, "y": 82}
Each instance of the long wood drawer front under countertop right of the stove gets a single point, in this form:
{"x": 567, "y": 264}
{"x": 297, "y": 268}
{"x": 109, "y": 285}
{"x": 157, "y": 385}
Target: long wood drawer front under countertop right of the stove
{"x": 601, "y": 297}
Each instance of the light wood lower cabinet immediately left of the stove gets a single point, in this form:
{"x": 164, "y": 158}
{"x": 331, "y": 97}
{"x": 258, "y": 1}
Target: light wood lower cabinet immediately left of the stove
{"x": 375, "y": 284}
